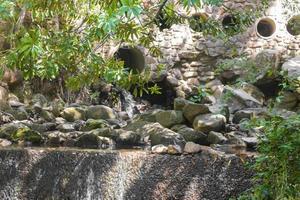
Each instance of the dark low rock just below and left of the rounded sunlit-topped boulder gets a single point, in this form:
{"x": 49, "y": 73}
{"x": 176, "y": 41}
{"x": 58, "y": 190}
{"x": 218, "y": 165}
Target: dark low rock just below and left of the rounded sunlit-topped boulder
{"x": 190, "y": 135}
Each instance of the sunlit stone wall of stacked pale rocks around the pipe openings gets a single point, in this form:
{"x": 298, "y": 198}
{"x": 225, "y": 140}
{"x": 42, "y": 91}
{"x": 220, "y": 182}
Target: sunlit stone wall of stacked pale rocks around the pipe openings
{"x": 190, "y": 57}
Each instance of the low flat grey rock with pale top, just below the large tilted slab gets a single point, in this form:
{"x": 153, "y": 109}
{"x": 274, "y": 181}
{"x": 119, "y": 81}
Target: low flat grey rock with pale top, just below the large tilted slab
{"x": 248, "y": 113}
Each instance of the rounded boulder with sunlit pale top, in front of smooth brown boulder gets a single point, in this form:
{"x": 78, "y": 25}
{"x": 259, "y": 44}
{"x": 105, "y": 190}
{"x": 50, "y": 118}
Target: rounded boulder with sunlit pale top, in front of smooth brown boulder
{"x": 209, "y": 122}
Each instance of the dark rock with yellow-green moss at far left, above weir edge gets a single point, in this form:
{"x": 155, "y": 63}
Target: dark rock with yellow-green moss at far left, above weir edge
{"x": 28, "y": 135}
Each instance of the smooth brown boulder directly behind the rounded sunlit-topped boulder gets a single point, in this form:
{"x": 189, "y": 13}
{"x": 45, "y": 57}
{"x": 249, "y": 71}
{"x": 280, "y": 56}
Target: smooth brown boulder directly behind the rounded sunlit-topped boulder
{"x": 191, "y": 110}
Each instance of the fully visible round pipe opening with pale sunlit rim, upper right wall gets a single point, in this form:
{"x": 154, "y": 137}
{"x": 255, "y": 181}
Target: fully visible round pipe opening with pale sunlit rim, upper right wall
{"x": 265, "y": 27}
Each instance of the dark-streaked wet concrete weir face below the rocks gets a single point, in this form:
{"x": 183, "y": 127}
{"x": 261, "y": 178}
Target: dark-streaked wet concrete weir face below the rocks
{"x": 74, "y": 174}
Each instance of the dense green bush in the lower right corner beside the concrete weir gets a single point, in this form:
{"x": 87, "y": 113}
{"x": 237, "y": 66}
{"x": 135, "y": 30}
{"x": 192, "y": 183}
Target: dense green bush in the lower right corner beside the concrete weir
{"x": 278, "y": 165}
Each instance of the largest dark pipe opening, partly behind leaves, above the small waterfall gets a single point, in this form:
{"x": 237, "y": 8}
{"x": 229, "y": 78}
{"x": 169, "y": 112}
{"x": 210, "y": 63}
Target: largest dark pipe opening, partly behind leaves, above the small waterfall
{"x": 132, "y": 57}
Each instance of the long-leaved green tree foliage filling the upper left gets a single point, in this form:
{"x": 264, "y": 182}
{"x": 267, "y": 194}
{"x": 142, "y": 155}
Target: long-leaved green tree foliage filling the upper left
{"x": 61, "y": 38}
